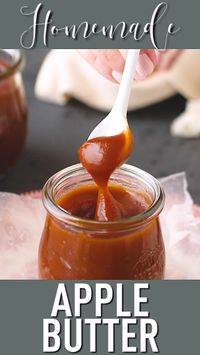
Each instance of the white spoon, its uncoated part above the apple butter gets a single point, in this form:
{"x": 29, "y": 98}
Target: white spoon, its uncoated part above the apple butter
{"x": 116, "y": 121}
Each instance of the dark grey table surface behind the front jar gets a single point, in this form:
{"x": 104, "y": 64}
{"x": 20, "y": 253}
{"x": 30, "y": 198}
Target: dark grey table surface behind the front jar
{"x": 55, "y": 133}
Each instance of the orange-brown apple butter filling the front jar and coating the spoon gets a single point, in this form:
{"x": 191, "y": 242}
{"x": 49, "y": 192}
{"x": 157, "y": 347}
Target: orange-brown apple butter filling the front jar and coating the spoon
{"x": 81, "y": 252}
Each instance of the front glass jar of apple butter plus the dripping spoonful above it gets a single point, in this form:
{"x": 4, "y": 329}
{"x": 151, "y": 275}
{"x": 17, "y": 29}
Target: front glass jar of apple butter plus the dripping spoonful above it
{"x": 102, "y": 221}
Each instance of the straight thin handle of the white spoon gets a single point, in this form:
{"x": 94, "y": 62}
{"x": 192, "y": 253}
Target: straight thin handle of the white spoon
{"x": 121, "y": 103}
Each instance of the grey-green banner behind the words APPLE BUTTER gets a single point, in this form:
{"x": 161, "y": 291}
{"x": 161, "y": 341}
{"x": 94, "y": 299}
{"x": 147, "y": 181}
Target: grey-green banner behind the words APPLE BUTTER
{"x": 173, "y": 304}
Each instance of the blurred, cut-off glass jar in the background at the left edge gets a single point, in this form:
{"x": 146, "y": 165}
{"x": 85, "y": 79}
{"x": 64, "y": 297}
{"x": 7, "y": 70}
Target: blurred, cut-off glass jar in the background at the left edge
{"x": 13, "y": 109}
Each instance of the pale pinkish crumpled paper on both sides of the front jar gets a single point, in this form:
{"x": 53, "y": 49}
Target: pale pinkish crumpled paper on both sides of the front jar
{"x": 22, "y": 220}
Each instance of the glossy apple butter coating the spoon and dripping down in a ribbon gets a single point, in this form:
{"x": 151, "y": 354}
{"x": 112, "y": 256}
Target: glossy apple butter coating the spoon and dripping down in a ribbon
{"x": 101, "y": 156}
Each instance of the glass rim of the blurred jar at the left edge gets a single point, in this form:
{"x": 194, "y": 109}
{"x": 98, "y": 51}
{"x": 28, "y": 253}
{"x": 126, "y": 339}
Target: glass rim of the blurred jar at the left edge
{"x": 18, "y": 60}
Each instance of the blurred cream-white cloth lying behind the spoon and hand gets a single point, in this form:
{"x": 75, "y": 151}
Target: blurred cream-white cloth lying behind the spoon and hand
{"x": 64, "y": 74}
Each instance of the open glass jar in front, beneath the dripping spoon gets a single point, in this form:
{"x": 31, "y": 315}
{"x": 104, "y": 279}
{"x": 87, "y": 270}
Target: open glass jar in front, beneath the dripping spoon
{"x": 77, "y": 248}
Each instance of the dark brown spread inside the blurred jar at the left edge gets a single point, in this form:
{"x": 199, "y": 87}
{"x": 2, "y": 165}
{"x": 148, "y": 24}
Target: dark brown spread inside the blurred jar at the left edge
{"x": 12, "y": 119}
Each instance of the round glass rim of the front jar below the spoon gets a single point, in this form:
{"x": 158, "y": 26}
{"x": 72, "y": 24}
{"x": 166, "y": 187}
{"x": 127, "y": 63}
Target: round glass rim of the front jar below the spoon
{"x": 61, "y": 214}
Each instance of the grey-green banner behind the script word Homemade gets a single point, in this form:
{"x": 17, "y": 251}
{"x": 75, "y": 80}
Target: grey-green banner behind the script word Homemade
{"x": 183, "y": 13}
